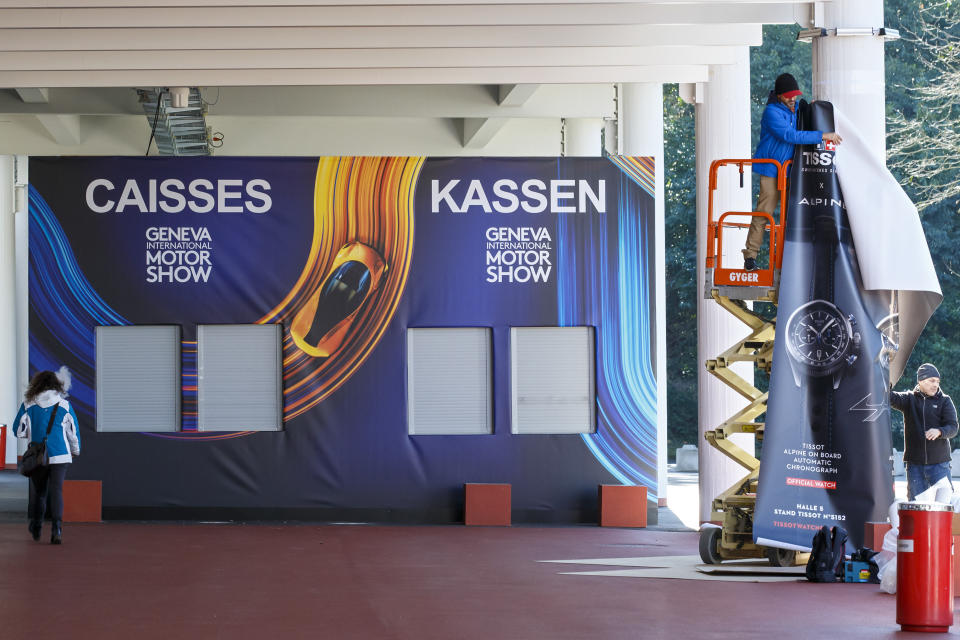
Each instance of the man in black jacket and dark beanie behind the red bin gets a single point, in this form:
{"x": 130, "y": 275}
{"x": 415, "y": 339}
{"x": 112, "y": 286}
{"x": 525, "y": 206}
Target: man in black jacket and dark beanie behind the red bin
{"x": 929, "y": 421}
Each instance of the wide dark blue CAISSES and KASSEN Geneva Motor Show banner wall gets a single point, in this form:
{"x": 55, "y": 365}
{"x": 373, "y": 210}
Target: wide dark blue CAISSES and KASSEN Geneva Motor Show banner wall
{"x": 495, "y": 243}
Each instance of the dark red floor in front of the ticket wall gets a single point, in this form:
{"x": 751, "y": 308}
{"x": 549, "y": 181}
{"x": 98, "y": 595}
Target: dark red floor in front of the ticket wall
{"x": 447, "y": 582}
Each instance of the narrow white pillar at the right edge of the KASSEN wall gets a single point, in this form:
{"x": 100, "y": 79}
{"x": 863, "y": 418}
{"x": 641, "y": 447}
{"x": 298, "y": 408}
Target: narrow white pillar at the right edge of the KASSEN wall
{"x": 641, "y": 134}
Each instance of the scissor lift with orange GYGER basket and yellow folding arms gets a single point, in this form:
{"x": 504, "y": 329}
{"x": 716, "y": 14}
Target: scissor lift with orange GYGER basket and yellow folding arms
{"x": 734, "y": 508}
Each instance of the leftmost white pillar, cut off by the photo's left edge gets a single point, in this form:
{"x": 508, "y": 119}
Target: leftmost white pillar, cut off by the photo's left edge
{"x": 8, "y": 305}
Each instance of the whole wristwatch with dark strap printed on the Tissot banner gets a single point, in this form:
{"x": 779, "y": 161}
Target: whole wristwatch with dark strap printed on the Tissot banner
{"x": 822, "y": 340}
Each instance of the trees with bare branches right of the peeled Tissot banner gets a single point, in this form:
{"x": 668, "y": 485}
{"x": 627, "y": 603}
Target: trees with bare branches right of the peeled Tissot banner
{"x": 923, "y": 149}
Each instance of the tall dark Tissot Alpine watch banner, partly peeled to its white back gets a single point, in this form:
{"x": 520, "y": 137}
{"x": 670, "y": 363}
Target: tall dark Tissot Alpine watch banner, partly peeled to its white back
{"x": 827, "y": 442}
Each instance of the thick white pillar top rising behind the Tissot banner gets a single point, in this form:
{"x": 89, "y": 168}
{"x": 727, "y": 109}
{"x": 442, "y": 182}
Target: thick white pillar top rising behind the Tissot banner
{"x": 848, "y": 67}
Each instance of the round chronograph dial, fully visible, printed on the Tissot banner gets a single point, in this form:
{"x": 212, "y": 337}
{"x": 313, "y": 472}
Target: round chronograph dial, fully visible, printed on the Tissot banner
{"x": 818, "y": 337}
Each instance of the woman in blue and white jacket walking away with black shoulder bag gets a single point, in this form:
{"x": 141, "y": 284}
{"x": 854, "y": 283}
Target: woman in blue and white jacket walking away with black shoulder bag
{"x": 44, "y": 404}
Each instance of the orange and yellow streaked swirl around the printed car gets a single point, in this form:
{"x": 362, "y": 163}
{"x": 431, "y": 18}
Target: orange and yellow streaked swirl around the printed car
{"x": 356, "y": 200}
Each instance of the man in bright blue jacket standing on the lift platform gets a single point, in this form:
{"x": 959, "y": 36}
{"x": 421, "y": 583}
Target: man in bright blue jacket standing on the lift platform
{"x": 778, "y": 135}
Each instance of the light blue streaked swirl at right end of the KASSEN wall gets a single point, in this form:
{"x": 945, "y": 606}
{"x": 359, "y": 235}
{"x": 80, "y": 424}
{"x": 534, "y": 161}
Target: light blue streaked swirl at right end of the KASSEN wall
{"x": 626, "y": 439}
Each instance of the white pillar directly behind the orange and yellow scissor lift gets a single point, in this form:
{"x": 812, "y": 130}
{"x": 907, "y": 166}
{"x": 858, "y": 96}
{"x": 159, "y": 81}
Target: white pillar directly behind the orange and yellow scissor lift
{"x": 723, "y": 131}
